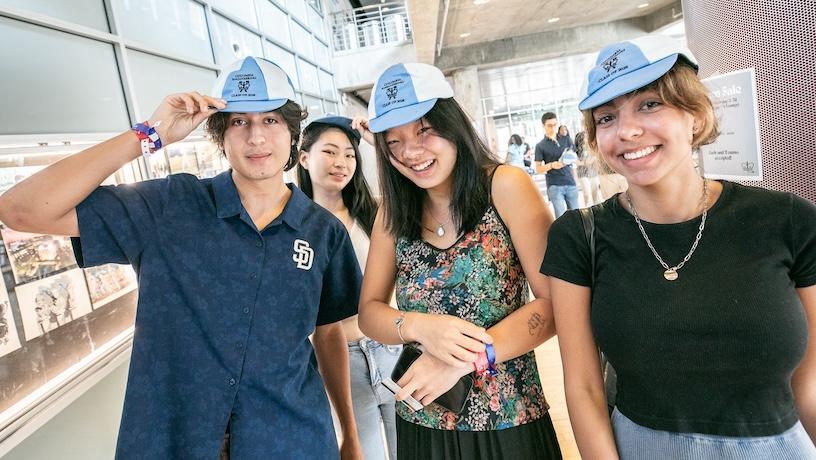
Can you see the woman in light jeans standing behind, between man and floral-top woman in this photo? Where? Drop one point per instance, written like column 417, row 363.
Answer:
column 330, row 172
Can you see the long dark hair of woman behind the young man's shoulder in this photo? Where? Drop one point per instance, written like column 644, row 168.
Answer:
column 356, row 194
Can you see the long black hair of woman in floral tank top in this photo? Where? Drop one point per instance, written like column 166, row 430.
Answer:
column 470, row 194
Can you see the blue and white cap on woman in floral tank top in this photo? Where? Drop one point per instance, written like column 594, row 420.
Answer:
column 404, row 93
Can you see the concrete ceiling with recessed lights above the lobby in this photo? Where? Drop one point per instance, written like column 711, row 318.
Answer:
column 500, row 32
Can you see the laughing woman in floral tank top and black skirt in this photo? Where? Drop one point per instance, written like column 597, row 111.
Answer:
column 453, row 239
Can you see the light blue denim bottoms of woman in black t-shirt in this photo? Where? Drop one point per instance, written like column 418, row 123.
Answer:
column 637, row 442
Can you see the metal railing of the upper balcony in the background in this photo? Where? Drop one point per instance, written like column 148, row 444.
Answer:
column 370, row 26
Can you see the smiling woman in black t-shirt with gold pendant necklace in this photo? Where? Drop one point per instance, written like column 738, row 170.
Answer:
column 703, row 294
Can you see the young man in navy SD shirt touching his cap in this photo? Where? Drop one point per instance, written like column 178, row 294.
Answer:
column 235, row 273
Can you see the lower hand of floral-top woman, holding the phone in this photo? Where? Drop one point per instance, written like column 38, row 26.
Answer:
column 428, row 378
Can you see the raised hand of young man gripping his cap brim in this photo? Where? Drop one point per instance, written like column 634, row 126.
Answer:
column 181, row 113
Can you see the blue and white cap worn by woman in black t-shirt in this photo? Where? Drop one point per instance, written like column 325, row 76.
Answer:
column 624, row 67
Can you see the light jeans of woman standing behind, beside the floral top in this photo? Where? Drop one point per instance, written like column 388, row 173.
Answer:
column 371, row 362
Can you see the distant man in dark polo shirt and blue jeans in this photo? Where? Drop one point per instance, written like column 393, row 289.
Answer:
column 561, row 189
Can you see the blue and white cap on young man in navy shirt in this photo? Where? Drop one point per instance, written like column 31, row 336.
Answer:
column 253, row 85
